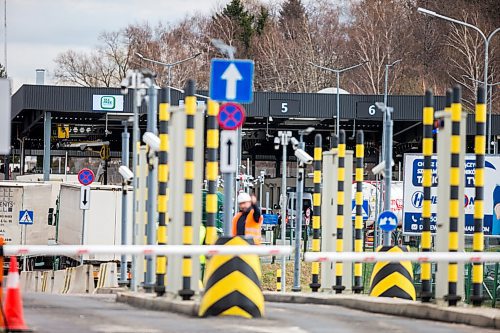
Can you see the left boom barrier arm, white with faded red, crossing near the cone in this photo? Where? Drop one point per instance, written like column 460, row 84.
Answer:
column 72, row 250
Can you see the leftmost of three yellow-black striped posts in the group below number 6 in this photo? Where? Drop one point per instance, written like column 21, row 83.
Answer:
column 318, row 156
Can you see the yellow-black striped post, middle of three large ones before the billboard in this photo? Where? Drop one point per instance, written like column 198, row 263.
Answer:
column 456, row 116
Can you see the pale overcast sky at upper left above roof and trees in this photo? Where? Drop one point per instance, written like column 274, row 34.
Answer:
column 37, row 30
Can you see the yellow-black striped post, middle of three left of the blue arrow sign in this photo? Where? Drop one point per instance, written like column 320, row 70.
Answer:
column 187, row 266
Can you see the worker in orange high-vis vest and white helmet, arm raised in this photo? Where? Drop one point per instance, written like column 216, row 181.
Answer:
column 248, row 221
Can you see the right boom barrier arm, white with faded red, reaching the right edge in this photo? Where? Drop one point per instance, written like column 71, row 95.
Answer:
column 403, row 256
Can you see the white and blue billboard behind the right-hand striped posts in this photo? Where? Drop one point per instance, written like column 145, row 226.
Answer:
column 413, row 194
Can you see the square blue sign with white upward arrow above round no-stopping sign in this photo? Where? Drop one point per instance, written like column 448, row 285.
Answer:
column 231, row 80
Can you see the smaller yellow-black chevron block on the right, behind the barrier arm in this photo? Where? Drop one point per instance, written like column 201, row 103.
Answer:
column 391, row 279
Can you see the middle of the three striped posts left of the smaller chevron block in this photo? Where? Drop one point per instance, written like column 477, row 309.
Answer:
column 339, row 266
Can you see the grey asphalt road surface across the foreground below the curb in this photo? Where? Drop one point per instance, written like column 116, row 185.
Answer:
column 47, row 313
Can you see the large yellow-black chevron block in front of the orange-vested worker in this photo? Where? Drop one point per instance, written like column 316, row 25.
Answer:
column 232, row 285
